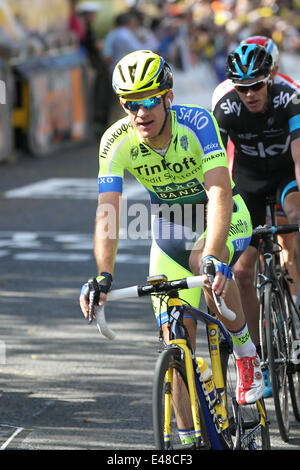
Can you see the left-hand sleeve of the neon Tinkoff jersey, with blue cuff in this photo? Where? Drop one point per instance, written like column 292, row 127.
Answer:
column 112, row 158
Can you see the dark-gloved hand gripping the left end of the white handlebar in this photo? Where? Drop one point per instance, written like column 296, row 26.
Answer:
column 94, row 293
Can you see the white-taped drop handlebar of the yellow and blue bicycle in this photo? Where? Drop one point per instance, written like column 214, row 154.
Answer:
column 148, row 289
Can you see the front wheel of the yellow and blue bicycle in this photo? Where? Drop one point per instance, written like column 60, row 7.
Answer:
column 171, row 359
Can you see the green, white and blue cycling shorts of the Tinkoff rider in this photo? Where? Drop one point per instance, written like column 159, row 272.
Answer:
column 173, row 241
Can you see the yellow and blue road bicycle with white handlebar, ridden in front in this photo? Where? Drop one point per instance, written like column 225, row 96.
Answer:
column 220, row 424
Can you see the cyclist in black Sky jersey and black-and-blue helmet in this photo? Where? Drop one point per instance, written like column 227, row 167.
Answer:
column 263, row 121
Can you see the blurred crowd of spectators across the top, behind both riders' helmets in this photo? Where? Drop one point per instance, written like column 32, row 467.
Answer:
column 185, row 32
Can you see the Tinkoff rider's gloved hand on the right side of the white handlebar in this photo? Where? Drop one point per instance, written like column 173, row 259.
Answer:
column 218, row 274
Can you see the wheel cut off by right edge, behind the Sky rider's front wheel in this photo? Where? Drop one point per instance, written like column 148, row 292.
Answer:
column 293, row 373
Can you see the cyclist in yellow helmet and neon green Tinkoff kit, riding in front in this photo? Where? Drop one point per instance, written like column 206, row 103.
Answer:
column 177, row 154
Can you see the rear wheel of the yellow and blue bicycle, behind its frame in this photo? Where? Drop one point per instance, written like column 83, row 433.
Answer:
column 249, row 425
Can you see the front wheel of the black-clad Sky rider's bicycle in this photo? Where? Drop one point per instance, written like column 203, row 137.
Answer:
column 277, row 355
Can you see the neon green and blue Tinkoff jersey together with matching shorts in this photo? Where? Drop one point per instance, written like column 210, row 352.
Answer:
column 176, row 177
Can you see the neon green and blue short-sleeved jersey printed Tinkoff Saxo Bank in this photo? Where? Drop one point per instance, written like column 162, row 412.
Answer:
column 176, row 177
